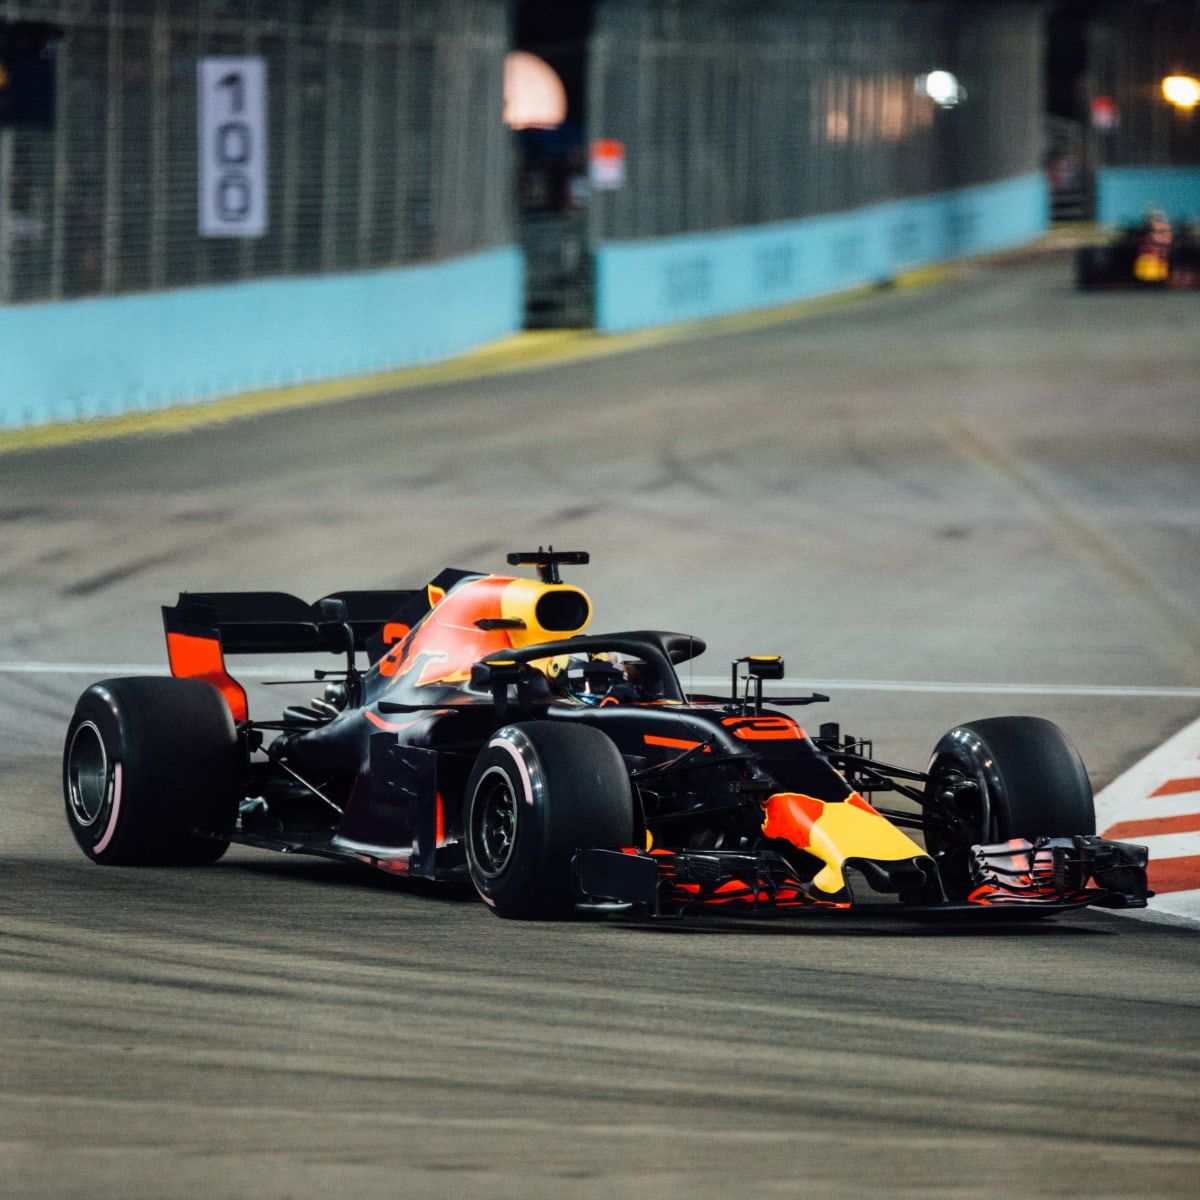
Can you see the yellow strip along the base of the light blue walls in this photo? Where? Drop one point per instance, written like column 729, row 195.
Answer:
column 521, row 352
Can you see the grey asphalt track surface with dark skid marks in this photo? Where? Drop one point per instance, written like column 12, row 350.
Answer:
column 994, row 482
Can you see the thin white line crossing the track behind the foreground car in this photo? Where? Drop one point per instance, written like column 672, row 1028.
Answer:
column 719, row 683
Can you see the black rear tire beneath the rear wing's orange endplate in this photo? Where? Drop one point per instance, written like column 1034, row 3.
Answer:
column 152, row 772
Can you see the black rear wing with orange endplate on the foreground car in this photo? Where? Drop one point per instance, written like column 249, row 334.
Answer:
column 205, row 626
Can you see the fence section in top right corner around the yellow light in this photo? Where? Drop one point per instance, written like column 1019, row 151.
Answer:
column 1132, row 49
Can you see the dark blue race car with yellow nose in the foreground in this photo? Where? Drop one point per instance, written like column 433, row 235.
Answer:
column 490, row 740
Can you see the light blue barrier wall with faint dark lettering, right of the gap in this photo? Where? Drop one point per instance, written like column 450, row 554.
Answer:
column 664, row 280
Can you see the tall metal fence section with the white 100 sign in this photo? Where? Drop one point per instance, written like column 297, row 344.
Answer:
column 386, row 142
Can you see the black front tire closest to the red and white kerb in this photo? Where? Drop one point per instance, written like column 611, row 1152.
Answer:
column 1030, row 783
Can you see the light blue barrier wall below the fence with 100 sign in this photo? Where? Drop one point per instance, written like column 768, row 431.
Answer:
column 92, row 358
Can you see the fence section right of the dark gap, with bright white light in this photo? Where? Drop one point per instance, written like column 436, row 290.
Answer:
column 737, row 115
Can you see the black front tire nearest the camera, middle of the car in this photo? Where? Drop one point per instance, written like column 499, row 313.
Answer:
column 538, row 794
